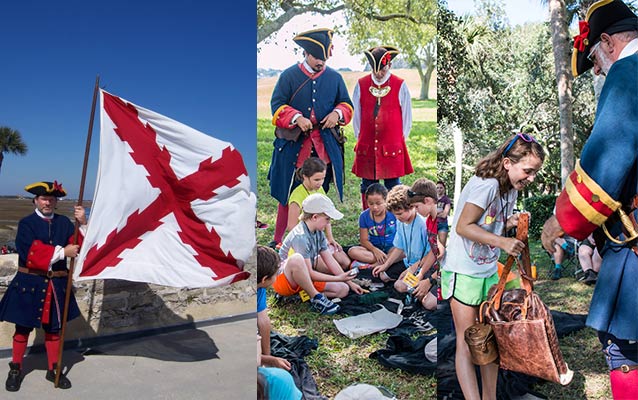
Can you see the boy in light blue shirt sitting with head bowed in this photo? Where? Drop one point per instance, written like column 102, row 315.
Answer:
column 410, row 251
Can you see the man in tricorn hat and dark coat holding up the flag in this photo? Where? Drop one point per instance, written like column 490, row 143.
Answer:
column 35, row 296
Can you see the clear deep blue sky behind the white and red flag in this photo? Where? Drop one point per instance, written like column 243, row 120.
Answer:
column 193, row 61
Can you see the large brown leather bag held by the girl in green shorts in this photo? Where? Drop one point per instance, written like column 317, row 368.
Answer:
column 522, row 324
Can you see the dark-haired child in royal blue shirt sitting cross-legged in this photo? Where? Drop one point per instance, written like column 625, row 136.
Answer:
column 377, row 227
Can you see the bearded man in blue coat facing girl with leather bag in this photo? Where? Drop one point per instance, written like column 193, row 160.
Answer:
column 600, row 196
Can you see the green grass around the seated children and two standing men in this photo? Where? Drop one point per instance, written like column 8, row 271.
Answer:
column 340, row 361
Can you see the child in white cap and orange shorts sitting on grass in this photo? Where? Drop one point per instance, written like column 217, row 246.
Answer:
column 308, row 241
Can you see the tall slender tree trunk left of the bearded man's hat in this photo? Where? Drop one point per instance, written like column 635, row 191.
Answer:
column 564, row 79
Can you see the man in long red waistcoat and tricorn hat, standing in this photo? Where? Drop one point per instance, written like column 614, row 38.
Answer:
column 382, row 120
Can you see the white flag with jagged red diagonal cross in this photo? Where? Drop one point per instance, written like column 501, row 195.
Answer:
column 172, row 205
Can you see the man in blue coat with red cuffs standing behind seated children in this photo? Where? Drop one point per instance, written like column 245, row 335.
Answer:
column 314, row 98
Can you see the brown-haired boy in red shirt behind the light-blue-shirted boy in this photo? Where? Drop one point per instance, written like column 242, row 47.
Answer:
column 423, row 197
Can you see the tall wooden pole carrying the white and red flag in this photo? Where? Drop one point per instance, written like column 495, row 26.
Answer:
column 69, row 283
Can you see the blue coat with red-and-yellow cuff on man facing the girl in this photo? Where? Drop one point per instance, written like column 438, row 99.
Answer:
column 605, row 178
